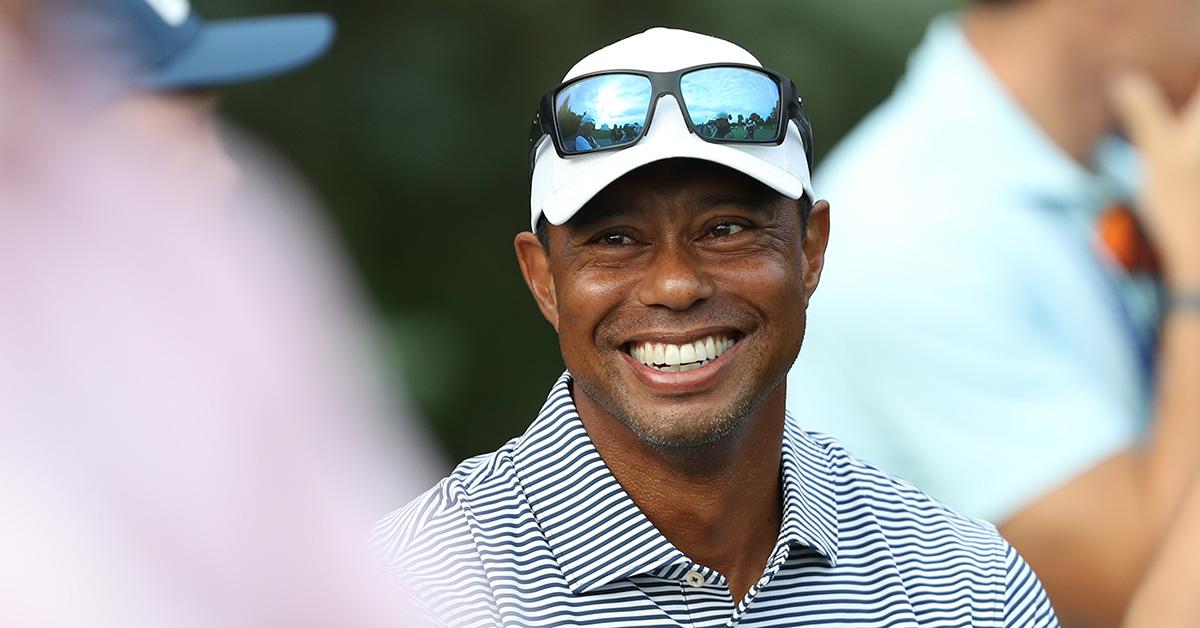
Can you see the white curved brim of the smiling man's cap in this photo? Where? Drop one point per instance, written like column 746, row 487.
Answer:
column 566, row 202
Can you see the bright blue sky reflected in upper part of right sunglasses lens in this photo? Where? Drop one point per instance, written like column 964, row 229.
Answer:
column 728, row 91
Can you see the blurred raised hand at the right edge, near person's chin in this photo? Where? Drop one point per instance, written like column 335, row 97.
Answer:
column 1171, row 145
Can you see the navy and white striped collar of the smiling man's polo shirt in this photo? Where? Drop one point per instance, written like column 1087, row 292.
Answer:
column 599, row 536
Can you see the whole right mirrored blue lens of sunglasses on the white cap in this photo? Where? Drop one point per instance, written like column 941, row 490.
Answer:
column 733, row 104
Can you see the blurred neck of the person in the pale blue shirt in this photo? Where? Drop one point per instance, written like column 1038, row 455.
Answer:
column 1034, row 52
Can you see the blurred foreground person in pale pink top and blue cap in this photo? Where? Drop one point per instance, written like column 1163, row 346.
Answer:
column 193, row 428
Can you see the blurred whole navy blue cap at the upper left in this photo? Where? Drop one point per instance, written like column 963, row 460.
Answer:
column 167, row 46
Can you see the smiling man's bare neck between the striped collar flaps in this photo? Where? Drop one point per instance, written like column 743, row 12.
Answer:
column 719, row 505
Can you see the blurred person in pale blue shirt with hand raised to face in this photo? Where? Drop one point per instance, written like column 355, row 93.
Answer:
column 997, row 327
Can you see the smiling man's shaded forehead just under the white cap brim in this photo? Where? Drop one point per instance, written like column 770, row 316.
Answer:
column 680, row 184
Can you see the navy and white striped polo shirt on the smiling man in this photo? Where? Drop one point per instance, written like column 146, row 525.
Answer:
column 541, row 534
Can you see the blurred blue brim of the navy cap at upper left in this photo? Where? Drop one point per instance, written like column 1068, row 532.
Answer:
column 244, row 50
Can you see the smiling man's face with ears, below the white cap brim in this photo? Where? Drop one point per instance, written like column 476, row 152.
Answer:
column 680, row 297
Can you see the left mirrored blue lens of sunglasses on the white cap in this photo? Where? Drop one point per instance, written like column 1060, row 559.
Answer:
column 602, row 111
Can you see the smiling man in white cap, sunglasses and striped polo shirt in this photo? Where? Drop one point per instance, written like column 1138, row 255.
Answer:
column 663, row 483
